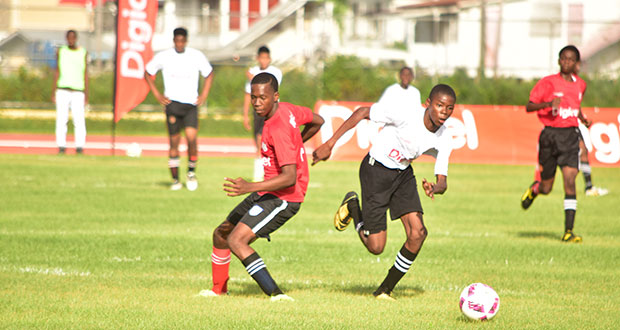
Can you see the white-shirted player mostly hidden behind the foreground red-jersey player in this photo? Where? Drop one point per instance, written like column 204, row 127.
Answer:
column 263, row 57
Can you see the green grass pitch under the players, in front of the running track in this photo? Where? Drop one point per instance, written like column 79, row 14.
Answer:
column 100, row 242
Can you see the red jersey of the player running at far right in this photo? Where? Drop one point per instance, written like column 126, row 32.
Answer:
column 571, row 93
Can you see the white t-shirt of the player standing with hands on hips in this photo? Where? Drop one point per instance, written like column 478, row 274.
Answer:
column 180, row 72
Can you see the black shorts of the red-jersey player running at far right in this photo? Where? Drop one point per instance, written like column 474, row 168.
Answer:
column 558, row 146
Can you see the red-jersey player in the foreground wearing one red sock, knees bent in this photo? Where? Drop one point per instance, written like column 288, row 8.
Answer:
column 273, row 201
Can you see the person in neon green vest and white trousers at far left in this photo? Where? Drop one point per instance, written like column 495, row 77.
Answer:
column 70, row 91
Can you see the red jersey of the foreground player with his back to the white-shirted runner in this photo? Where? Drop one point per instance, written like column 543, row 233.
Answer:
column 281, row 144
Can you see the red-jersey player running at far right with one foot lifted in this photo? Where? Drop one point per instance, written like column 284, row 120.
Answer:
column 557, row 101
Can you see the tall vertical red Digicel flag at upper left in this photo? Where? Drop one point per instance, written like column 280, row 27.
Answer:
column 134, row 32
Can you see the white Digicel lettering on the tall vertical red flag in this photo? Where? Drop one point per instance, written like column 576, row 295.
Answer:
column 139, row 33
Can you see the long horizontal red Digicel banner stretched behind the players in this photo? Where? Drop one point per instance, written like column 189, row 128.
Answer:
column 484, row 134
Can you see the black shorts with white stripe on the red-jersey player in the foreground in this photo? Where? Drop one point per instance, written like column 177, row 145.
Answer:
column 263, row 214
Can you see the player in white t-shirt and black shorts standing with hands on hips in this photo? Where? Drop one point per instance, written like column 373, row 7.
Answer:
column 181, row 67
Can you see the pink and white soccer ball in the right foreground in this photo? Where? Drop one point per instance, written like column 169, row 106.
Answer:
column 479, row 302
